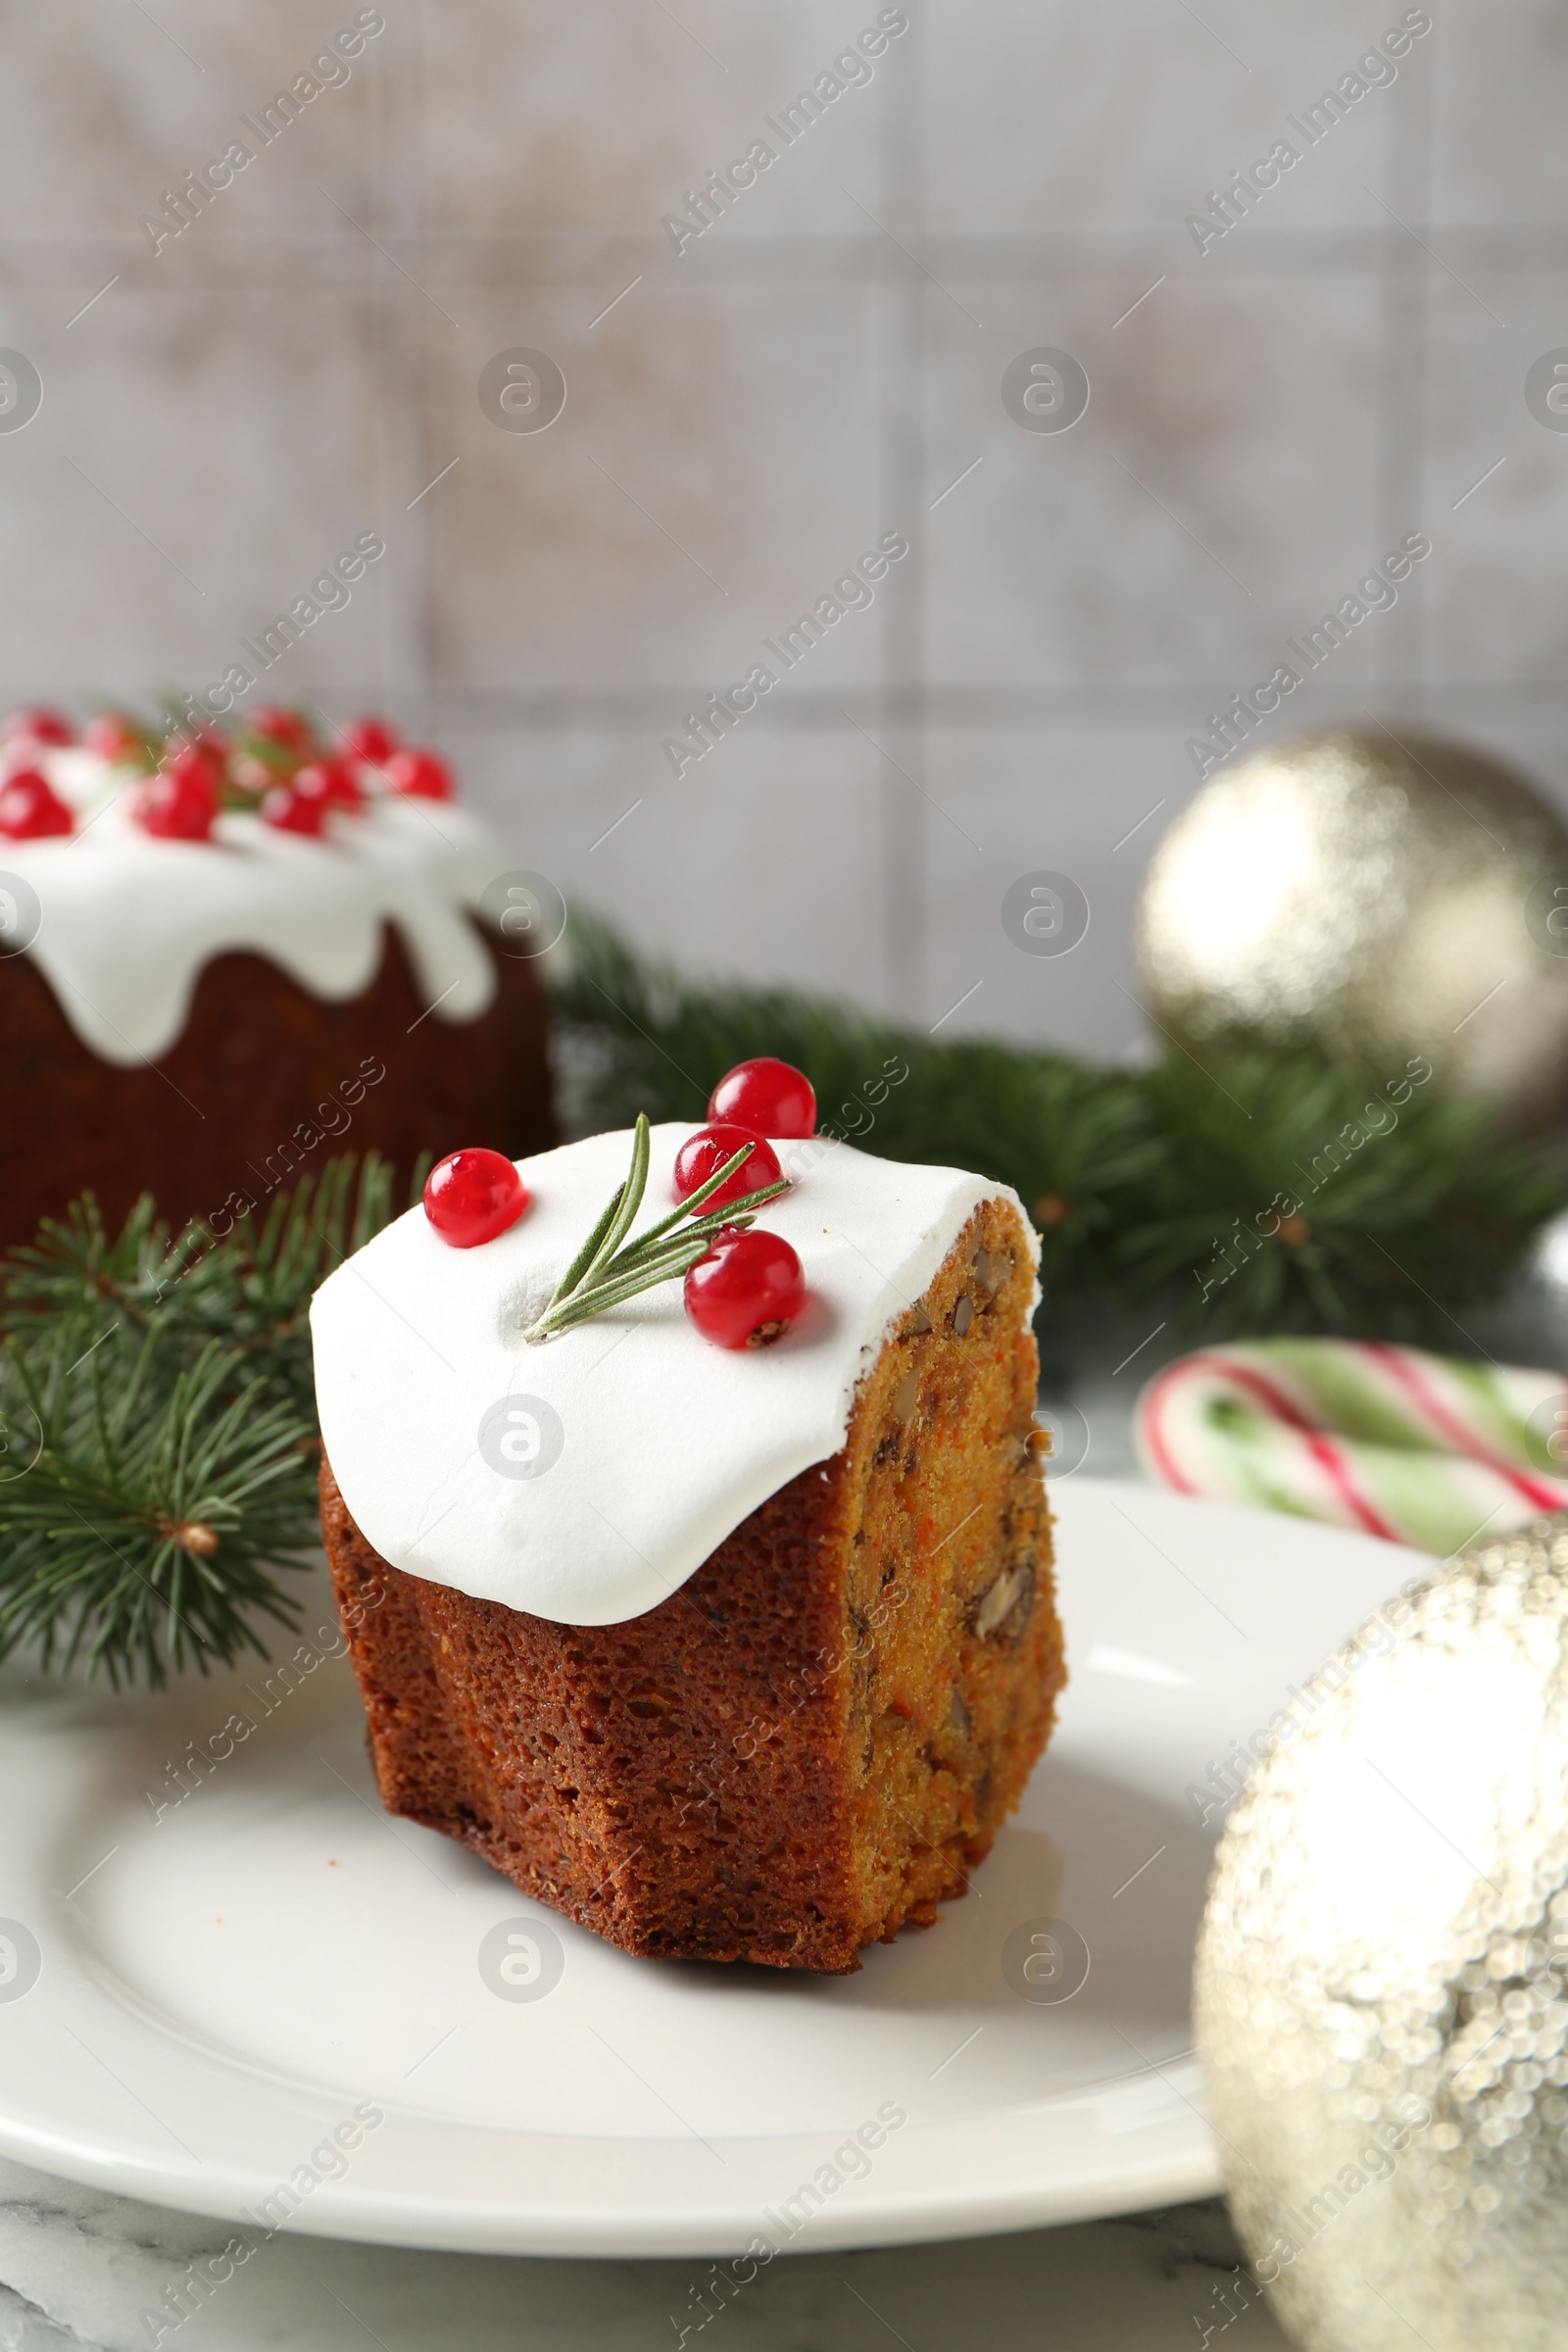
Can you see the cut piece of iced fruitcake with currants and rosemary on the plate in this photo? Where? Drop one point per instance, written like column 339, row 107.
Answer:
column 718, row 1619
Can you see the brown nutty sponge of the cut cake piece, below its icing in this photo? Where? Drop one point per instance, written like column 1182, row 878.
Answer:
column 822, row 1732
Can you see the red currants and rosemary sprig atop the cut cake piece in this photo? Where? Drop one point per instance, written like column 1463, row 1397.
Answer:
column 746, row 1288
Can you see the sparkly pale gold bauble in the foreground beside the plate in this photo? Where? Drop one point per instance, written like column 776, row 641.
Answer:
column 1381, row 1984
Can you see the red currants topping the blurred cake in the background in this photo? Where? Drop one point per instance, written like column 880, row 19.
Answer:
column 279, row 766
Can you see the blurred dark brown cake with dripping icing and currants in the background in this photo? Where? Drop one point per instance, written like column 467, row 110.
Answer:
column 225, row 958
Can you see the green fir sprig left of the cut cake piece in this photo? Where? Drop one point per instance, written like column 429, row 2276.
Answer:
column 159, row 1436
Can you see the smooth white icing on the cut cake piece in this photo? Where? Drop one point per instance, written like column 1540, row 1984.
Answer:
column 666, row 1443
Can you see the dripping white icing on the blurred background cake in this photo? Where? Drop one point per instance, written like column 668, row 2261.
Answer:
column 128, row 921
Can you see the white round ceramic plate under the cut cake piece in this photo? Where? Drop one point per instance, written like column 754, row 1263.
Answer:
column 194, row 2000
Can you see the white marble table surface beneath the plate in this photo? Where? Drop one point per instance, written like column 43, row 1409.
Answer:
column 83, row 2269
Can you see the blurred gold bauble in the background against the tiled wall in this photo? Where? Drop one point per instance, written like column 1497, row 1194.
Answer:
column 1376, row 900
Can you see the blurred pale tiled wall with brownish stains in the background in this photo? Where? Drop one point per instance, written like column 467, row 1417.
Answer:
column 819, row 368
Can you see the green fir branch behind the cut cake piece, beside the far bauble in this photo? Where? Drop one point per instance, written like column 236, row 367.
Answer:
column 1245, row 1194
